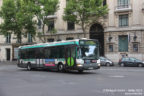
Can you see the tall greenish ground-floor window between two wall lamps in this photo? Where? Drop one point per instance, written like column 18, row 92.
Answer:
column 123, row 43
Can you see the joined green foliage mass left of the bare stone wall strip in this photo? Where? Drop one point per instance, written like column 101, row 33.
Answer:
column 18, row 16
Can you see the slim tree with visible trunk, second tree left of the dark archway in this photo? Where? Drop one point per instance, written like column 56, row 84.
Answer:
column 46, row 8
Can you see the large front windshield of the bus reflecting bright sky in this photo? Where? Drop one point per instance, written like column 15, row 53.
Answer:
column 89, row 51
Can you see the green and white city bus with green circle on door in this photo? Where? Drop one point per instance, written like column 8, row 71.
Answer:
column 79, row 54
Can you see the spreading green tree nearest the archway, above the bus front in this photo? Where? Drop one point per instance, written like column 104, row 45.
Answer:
column 84, row 12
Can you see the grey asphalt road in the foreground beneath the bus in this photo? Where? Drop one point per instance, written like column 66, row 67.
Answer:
column 107, row 81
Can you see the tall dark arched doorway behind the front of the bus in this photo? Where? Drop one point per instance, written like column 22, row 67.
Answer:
column 97, row 32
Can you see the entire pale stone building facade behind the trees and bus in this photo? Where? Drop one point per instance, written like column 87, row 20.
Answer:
column 120, row 33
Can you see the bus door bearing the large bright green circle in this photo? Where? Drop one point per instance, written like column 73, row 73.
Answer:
column 70, row 56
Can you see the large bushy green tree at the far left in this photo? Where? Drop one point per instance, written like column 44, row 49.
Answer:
column 17, row 18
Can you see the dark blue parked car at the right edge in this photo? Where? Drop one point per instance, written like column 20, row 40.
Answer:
column 130, row 61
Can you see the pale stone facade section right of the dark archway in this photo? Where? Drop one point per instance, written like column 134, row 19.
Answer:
column 124, row 35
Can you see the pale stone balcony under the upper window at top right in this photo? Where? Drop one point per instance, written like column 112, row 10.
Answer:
column 123, row 8
